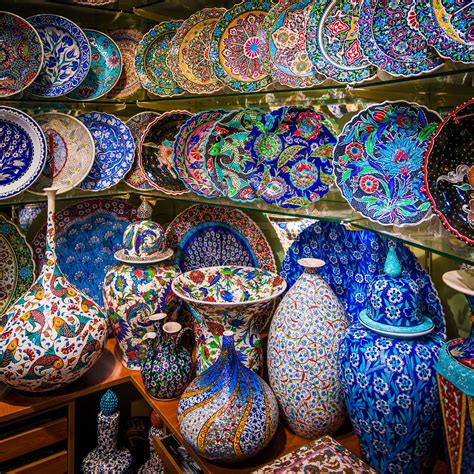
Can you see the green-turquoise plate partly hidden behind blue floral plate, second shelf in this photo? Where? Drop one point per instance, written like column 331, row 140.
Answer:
column 227, row 161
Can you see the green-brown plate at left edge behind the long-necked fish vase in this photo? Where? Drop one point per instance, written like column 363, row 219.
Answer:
column 17, row 267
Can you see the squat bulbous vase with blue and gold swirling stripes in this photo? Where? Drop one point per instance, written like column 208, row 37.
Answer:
column 228, row 413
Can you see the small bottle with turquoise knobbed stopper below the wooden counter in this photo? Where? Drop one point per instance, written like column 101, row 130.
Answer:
column 108, row 457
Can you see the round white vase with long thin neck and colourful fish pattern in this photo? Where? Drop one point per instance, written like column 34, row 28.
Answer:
column 54, row 333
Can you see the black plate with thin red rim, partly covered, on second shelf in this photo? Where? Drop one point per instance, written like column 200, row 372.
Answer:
column 156, row 152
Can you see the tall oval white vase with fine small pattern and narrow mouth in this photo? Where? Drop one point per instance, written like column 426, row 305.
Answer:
column 303, row 346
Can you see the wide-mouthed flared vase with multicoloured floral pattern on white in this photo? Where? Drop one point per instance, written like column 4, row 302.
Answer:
column 228, row 298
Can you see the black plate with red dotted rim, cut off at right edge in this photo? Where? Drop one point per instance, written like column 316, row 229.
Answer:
column 449, row 172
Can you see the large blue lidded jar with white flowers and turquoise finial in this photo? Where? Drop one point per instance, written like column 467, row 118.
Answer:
column 388, row 377
